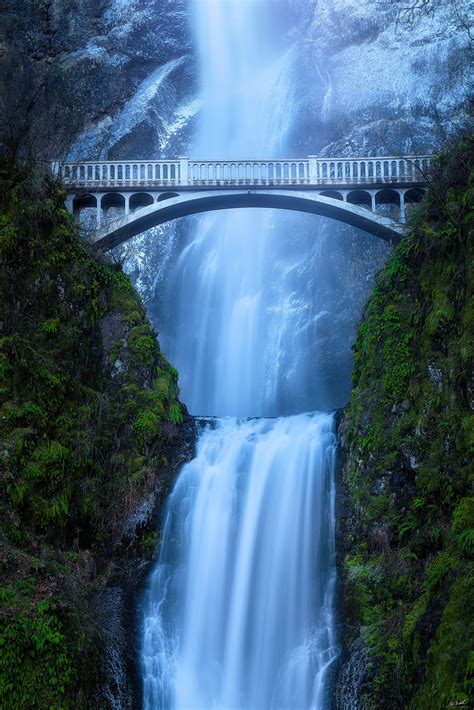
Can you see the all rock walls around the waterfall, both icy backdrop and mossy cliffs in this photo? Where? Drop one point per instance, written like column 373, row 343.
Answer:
column 119, row 79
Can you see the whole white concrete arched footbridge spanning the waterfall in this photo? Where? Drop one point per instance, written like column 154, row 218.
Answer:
column 129, row 197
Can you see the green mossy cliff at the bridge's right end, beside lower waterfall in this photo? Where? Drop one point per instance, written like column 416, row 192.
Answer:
column 406, row 524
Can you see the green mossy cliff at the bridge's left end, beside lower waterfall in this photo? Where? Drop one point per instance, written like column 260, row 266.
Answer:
column 88, row 411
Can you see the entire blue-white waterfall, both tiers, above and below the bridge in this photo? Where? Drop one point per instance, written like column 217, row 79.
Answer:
column 238, row 613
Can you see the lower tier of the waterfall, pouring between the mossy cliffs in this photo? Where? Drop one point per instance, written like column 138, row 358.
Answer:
column 238, row 613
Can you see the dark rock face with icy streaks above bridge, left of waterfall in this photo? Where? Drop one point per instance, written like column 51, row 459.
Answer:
column 106, row 78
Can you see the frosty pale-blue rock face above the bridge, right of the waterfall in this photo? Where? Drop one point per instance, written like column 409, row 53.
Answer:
column 382, row 85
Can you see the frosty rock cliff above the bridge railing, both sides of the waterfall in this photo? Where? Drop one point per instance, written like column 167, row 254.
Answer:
column 118, row 78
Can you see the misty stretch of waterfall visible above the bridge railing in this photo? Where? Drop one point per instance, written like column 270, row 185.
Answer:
column 246, row 98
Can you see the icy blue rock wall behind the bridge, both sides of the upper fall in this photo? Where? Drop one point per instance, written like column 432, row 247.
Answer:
column 119, row 79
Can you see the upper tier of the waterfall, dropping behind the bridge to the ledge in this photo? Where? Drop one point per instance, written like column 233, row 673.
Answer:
column 236, row 339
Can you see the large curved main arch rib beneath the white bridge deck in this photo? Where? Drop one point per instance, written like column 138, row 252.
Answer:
column 182, row 205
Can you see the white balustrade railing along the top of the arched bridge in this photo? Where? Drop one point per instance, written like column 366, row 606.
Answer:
column 185, row 172
